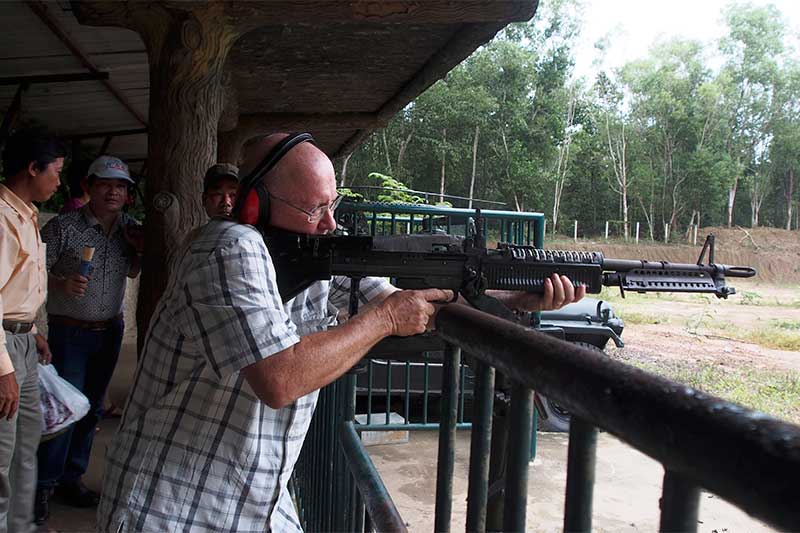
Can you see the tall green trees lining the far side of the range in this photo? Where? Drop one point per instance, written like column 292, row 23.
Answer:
column 671, row 139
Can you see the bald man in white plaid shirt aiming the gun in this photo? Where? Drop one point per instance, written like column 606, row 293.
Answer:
column 229, row 374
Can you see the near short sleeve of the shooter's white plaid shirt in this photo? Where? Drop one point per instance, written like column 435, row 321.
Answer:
column 235, row 311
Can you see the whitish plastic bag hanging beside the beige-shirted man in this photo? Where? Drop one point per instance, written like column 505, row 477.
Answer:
column 62, row 404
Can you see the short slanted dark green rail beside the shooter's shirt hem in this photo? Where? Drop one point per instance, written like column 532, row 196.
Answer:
column 383, row 514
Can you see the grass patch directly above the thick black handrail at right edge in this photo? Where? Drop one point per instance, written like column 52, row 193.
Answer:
column 776, row 393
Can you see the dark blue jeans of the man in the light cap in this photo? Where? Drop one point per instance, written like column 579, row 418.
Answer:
column 85, row 358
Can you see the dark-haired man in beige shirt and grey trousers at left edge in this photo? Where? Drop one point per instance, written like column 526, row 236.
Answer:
column 32, row 167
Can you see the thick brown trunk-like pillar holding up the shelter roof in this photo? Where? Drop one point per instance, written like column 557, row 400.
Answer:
column 186, row 53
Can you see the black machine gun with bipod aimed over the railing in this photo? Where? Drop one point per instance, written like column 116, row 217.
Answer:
column 467, row 267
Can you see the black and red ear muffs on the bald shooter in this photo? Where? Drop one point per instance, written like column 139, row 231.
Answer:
column 252, row 200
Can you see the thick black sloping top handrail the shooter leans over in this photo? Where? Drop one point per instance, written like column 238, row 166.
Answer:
column 746, row 457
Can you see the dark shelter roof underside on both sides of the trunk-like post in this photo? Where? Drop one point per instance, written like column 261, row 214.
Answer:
column 337, row 69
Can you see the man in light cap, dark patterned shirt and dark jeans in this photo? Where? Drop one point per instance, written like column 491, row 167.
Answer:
column 85, row 318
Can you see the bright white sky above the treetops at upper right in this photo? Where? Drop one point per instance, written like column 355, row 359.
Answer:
column 634, row 25
